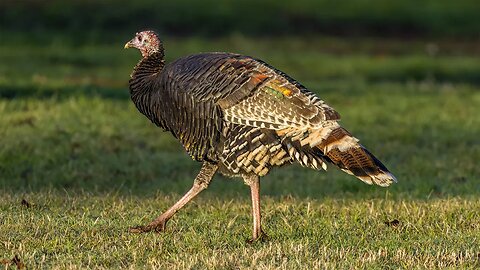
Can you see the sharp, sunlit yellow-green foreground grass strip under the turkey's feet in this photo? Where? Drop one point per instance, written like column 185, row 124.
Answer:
column 81, row 230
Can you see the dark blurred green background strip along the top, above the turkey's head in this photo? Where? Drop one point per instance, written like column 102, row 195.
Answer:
column 99, row 20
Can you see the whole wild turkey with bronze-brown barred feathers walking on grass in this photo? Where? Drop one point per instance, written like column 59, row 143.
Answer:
column 241, row 117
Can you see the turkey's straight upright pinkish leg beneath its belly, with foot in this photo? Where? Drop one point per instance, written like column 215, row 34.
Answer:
column 254, row 182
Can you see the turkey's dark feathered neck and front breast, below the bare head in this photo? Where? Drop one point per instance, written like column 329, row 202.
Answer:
column 146, row 87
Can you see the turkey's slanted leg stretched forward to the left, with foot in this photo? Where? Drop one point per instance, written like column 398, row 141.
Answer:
column 201, row 182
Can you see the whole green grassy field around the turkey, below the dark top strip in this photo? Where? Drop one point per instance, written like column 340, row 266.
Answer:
column 73, row 146
